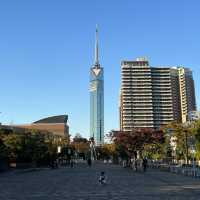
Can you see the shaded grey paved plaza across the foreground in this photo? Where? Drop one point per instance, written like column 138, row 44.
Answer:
column 81, row 183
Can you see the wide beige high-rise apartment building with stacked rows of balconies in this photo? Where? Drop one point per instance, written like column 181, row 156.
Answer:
column 154, row 96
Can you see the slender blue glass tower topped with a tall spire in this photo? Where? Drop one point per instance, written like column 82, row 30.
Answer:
column 97, row 99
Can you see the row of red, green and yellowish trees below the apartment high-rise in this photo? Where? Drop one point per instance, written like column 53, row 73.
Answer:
column 173, row 142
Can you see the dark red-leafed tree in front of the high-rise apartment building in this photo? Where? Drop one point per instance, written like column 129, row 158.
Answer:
column 137, row 140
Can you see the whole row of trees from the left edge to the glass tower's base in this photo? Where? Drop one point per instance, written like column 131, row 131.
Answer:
column 39, row 148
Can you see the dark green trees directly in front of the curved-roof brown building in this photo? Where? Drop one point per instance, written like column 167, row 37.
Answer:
column 29, row 146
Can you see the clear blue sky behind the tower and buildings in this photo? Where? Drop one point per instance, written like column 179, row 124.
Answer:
column 47, row 49
